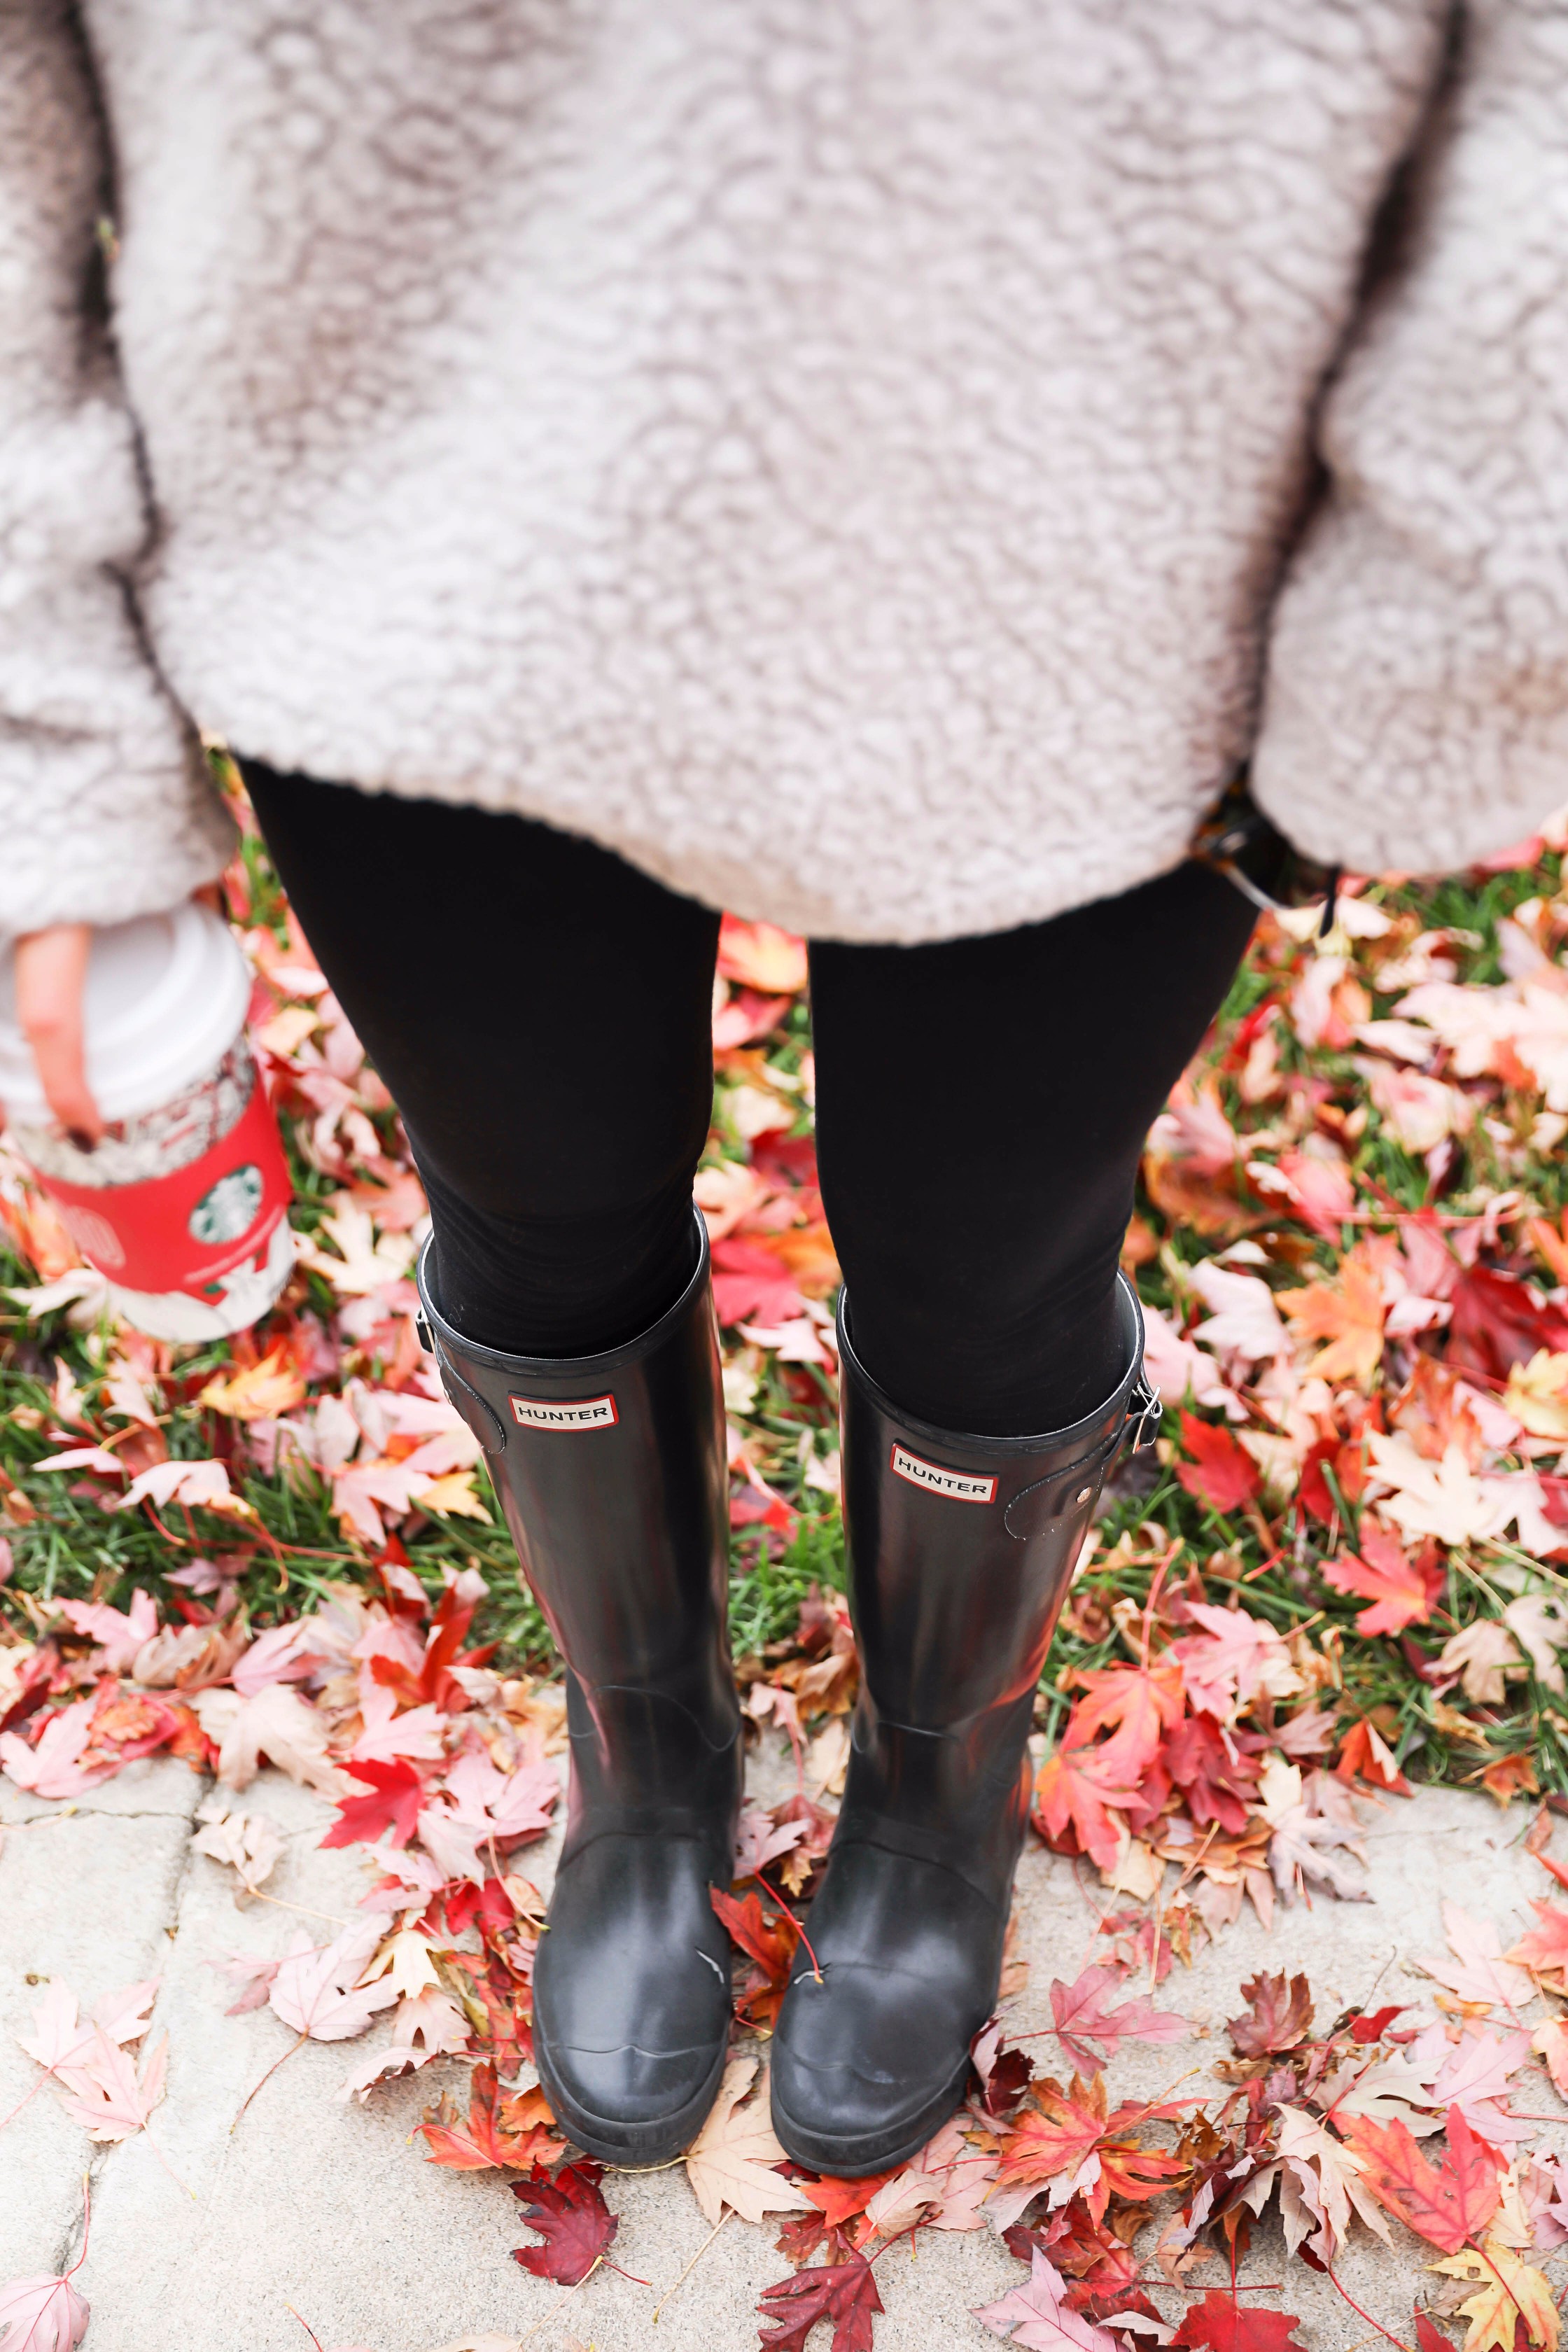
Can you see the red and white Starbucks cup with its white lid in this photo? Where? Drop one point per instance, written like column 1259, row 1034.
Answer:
column 185, row 1203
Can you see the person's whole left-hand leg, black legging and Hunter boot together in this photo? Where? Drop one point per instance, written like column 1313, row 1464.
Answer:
column 542, row 1015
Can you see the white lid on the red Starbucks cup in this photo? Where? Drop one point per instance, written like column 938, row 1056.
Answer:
column 166, row 998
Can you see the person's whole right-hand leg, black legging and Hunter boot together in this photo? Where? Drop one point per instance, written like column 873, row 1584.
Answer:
column 981, row 1109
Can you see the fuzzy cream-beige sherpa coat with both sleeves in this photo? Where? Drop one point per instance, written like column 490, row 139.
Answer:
column 880, row 465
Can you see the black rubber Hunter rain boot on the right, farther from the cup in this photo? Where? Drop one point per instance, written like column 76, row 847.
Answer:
column 960, row 1556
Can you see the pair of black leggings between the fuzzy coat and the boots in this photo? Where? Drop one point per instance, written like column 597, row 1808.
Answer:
column 542, row 1015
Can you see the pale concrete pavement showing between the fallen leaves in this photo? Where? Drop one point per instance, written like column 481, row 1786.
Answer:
column 210, row 2236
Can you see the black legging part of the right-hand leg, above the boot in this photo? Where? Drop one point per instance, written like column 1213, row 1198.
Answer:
column 981, row 1111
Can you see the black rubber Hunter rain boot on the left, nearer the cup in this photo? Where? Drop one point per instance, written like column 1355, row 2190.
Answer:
column 617, row 1495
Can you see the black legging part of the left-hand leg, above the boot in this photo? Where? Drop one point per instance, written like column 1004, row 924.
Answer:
column 542, row 1017
